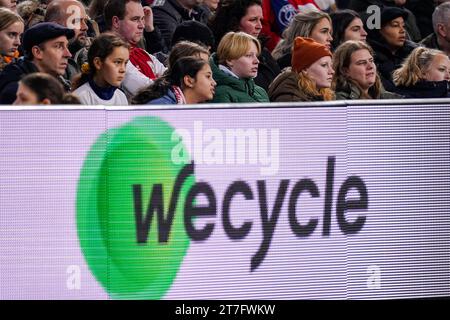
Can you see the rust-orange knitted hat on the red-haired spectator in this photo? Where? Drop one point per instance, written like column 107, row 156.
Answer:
column 307, row 51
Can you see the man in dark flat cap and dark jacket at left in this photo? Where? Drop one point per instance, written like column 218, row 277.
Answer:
column 46, row 50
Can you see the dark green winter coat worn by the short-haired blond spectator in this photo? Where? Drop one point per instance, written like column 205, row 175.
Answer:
column 231, row 89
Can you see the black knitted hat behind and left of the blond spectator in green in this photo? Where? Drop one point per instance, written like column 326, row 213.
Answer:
column 193, row 31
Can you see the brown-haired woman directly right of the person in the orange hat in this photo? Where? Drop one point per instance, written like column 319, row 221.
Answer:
column 356, row 74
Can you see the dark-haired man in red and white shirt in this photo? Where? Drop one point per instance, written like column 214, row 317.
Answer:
column 129, row 20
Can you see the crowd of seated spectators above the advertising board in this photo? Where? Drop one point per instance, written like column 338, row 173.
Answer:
column 120, row 52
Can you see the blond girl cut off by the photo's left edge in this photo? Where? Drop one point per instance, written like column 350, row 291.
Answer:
column 11, row 29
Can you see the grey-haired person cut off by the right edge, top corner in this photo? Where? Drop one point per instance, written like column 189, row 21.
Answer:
column 440, row 38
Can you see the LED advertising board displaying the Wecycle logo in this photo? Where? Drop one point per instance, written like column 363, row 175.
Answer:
column 342, row 202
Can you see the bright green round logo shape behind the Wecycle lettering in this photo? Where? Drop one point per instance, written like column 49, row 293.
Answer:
column 119, row 178
